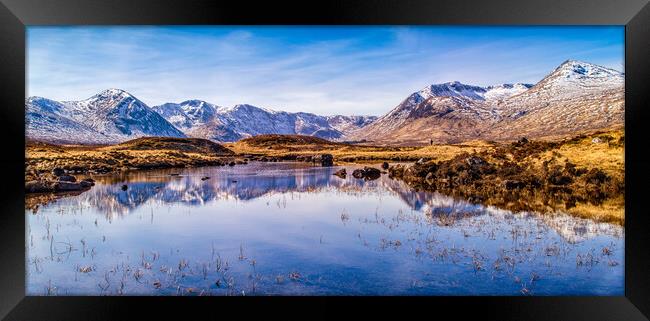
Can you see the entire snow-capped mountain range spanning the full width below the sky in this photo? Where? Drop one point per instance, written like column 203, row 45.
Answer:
column 576, row 96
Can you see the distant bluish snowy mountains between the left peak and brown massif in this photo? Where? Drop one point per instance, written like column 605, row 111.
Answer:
column 201, row 119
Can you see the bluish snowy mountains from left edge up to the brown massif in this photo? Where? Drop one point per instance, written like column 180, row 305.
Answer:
column 114, row 116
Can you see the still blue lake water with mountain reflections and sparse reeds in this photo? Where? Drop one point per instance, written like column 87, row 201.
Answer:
column 294, row 229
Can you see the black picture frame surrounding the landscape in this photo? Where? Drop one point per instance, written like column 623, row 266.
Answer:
column 16, row 14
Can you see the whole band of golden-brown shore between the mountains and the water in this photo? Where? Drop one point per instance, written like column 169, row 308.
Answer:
column 582, row 176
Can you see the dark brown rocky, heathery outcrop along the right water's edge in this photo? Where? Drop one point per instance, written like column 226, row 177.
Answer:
column 511, row 177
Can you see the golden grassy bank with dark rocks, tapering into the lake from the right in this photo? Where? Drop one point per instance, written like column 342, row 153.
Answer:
column 583, row 176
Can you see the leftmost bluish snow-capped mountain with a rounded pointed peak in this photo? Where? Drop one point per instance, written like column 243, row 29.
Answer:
column 109, row 117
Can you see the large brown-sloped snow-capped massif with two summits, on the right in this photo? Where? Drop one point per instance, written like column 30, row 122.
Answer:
column 575, row 96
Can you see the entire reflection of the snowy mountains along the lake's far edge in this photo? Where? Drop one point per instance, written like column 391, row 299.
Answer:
column 258, row 180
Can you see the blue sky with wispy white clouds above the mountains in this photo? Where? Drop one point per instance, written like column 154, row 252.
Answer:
column 324, row 70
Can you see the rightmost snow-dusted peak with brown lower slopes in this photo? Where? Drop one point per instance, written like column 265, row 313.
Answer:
column 576, row 96
